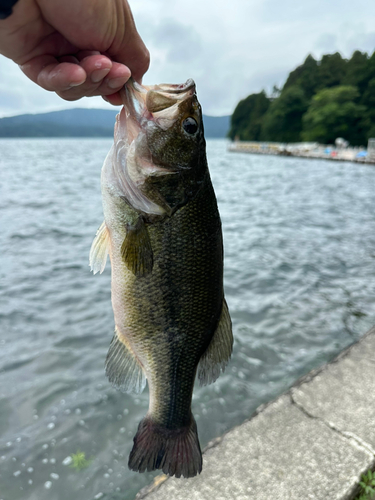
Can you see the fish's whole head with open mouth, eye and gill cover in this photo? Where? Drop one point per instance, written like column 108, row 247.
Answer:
column 155, row 162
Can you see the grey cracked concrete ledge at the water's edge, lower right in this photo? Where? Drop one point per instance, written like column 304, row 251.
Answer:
column 313, row 442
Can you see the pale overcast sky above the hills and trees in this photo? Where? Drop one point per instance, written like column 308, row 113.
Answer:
column 231, row 48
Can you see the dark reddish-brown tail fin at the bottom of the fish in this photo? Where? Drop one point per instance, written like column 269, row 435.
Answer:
column 177, row 452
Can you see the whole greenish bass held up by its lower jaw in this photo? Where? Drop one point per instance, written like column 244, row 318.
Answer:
column 163, row 234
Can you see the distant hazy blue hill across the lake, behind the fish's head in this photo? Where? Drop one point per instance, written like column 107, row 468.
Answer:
column 80, row 122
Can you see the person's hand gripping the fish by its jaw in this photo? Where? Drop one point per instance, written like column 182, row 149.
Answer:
column 76, row 48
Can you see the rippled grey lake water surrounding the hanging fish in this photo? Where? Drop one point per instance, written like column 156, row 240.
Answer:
column 299, row 240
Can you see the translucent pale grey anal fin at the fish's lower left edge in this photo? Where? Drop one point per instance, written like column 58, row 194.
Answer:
column 122, row 367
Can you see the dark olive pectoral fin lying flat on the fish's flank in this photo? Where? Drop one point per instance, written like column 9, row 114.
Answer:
column 136, row 249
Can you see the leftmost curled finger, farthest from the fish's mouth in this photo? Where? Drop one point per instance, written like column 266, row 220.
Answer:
column 50, row 74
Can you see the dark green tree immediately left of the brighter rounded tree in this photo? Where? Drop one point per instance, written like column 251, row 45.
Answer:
column 283, row 121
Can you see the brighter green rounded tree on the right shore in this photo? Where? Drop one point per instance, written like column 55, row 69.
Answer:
column 334, row 112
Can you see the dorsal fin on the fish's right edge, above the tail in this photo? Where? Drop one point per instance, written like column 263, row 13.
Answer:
column 217, row 355
